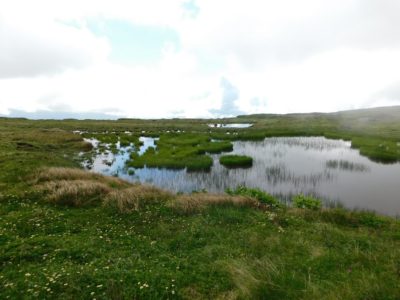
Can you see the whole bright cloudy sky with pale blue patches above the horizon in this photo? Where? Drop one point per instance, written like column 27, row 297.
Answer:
column 196, row 58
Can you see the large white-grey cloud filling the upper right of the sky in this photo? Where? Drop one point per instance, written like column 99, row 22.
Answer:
column 258, row 33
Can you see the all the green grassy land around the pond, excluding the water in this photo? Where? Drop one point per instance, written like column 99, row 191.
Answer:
column 112, row 240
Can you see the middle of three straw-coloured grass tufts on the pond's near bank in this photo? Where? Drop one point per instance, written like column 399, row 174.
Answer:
column 135, row 198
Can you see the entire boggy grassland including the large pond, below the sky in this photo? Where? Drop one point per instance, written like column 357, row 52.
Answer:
column 70, row 233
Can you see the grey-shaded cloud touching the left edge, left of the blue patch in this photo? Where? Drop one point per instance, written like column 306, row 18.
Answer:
column 45, row 48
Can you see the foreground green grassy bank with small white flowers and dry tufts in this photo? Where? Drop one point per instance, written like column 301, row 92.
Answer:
column 112, row 240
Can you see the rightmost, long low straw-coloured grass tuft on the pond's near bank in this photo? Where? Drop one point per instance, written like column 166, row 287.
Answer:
column 197, row 202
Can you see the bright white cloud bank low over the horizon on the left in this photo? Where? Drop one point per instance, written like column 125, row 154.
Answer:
column 135, row 91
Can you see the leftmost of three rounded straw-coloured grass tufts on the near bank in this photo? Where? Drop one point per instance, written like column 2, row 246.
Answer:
column 75, row 193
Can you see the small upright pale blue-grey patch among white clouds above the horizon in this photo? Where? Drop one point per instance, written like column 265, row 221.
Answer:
column 230, row 94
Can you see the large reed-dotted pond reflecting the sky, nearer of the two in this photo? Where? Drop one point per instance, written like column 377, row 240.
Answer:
column 283, row 166
